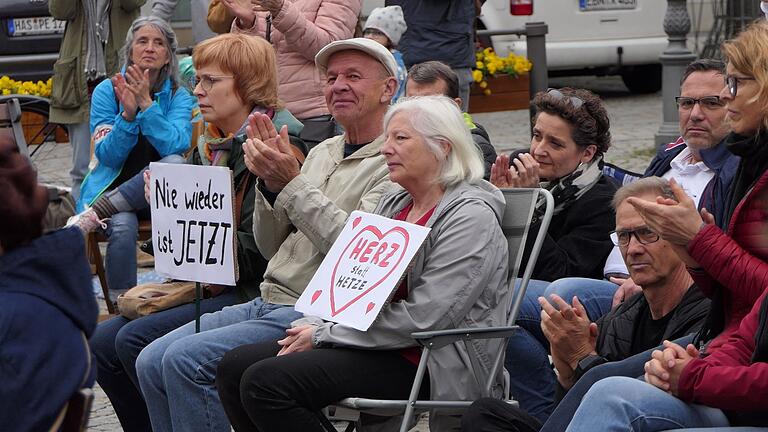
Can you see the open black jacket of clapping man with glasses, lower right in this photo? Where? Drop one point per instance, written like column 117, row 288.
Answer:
column 617, row 328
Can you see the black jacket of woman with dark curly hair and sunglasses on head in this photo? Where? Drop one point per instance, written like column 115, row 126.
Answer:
column 577, row 242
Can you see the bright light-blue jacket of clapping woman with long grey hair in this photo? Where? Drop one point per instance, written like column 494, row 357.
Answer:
column 166, row 124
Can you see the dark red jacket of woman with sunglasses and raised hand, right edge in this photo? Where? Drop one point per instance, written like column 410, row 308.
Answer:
column 737, row 262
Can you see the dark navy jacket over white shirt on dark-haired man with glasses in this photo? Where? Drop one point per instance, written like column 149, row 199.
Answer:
column 718, row 159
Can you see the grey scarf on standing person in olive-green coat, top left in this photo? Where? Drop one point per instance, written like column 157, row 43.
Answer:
column 96, row 36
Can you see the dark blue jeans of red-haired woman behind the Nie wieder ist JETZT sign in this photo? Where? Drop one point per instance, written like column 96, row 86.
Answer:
column 117, row 342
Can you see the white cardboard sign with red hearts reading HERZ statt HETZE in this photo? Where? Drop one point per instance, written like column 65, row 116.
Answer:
column 363, row 267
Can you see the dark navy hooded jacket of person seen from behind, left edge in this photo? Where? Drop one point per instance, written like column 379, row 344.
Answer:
column 46, row 302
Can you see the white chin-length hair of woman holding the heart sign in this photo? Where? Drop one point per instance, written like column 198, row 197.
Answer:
column 438, row 119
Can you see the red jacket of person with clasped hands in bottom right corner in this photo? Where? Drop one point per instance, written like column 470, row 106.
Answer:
column 727, row 378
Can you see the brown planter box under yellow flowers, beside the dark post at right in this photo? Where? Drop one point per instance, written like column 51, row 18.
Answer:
column 507, row 93
